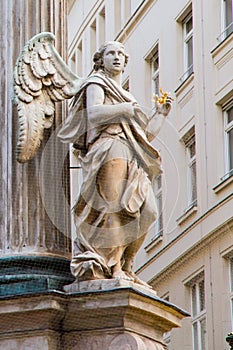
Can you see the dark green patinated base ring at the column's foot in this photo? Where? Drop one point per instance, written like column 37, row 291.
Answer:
column 27, row 274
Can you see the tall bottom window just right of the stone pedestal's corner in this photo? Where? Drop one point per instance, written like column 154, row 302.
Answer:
column 198, row 314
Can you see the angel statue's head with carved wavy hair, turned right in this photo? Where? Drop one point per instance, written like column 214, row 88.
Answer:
column 111, row 56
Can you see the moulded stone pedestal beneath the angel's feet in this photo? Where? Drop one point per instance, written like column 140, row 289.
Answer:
column 97, row 315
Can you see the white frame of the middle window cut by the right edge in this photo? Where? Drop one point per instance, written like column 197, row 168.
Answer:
column 228, row 127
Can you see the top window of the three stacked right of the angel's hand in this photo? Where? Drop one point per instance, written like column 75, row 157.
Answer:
column 187, row 25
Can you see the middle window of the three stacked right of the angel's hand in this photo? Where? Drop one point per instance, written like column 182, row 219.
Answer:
column 190, row 145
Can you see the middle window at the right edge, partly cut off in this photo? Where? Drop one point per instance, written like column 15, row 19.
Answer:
column 228, row 128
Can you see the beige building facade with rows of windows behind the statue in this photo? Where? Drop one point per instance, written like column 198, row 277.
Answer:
column 185, row 47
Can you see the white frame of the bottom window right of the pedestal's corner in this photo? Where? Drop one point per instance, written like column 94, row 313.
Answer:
column 199, row 315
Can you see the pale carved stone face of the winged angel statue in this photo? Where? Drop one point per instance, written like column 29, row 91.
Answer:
column 114, row 58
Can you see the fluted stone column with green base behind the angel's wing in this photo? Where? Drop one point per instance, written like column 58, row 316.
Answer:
column 35, row 243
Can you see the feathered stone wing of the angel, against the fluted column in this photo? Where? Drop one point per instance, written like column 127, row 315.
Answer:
column 41, row 78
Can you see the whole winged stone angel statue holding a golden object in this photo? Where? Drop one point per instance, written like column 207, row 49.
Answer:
column 116, row 206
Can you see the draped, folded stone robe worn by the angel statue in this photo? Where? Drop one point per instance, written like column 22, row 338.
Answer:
column 105, row 227
